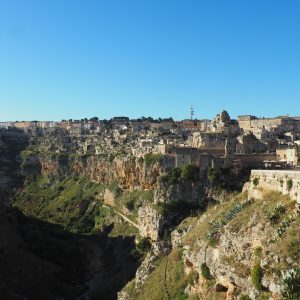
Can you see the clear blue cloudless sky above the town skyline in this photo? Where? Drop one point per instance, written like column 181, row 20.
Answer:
column 84, row 58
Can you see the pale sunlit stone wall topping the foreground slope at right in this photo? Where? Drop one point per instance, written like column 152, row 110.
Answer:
column 286, row 182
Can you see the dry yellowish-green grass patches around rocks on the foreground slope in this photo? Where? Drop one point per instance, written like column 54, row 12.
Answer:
column 287, row 246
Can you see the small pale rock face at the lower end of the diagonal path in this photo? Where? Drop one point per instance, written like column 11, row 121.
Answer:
column 150, row 222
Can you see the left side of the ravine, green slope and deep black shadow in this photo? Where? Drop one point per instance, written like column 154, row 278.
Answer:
column 44, row 253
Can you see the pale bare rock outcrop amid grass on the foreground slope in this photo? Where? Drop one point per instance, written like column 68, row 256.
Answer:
column 231, row 261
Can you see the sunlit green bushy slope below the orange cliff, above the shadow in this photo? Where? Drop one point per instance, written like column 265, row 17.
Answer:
column 71, row 203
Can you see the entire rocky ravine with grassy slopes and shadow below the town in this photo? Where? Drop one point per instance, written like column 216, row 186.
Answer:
column 106, row 227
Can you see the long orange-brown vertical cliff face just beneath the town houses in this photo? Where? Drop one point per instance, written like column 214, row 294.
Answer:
column 128, row 171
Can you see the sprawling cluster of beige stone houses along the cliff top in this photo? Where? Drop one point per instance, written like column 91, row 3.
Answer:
column 223, row 142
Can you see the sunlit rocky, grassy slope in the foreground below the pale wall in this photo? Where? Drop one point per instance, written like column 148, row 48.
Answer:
column 239, row 249
